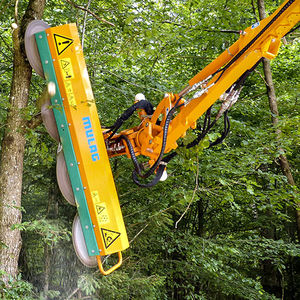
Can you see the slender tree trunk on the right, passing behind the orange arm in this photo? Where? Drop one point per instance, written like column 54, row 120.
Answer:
column 284, row 164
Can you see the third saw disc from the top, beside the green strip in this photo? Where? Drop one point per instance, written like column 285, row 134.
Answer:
column 63, row 178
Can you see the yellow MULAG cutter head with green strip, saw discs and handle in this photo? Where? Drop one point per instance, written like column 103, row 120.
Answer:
column 83, row 169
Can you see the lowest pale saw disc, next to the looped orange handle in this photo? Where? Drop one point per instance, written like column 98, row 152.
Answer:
column 80, row 245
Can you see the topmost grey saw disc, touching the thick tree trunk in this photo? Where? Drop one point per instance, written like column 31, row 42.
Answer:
column 31, row 47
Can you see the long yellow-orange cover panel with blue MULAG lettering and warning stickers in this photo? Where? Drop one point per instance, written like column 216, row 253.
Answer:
column 87, row 138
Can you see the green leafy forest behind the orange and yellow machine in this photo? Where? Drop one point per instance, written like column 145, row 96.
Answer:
column 223, row 225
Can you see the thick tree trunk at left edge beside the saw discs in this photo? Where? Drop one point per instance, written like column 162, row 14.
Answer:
column 13, row 145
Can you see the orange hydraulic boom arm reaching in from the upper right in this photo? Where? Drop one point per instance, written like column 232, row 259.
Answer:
column 226, row 73
